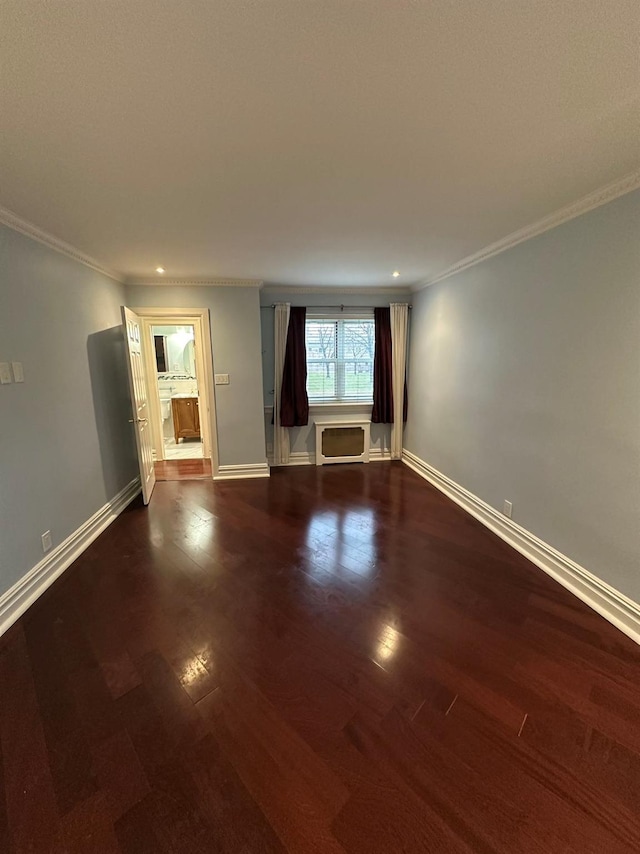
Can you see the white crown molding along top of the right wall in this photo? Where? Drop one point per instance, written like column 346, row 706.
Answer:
column 587, row 203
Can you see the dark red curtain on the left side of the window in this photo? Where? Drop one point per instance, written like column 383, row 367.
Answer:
column 294, row 403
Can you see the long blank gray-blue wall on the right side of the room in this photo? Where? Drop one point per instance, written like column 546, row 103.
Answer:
column 525, row 385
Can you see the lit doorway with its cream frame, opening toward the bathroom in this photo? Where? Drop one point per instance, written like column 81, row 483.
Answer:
column 178, row 367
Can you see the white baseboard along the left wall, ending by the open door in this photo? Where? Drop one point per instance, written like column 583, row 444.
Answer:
column 27, row 589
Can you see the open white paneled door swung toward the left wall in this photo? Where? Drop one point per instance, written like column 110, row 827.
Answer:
column 139, row 401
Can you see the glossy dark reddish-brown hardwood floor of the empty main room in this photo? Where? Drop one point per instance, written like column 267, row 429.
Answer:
column 333, row 660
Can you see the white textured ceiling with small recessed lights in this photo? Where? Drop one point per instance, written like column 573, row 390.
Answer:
column 310, row 143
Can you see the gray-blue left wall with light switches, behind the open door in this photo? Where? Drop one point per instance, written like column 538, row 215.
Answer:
column 66, row 447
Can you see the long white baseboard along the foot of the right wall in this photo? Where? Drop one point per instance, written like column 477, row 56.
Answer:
column 614, row 606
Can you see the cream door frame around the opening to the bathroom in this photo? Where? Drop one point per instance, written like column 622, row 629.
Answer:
column 200, row 320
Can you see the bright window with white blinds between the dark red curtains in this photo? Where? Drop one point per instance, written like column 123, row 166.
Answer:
column 340, row 359
